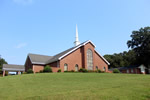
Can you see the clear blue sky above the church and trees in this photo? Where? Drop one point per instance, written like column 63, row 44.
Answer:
column 48, row 27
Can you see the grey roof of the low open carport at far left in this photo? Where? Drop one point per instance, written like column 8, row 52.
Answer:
column 11, row 67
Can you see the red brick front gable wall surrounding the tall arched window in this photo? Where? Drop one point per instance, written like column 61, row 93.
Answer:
column 80, row 57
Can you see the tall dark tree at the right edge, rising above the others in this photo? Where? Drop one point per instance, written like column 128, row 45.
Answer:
column 140, row 43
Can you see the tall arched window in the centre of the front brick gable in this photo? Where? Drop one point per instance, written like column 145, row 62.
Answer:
column 89, row 59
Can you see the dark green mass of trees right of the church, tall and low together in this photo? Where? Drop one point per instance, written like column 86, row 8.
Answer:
column 139, row 53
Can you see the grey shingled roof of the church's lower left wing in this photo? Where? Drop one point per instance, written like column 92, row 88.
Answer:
column 39, row 59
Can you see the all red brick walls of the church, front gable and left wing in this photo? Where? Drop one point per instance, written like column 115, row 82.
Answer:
column 77, row 57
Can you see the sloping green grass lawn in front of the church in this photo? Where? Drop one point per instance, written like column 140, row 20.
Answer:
column 75, row 86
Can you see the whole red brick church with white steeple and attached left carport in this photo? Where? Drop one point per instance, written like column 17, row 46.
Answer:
column 82, row 55
